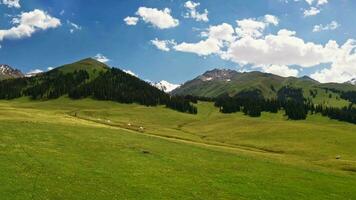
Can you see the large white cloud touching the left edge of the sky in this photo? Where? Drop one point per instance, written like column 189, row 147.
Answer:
column 28, row 23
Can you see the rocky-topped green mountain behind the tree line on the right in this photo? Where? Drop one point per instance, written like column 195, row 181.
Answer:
column 220, row 81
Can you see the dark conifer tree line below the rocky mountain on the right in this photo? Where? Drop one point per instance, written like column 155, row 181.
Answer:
column 291, row 100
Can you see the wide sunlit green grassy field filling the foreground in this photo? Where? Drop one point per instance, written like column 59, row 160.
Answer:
column 87, row 149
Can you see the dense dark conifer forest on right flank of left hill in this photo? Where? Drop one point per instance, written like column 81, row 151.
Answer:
column 116, row 85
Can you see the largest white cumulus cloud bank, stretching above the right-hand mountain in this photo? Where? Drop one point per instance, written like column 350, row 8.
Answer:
column 282, row 53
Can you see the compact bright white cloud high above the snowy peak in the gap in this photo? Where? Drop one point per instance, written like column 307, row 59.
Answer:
column 161, row 19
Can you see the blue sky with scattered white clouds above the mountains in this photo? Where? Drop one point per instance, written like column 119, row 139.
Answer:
column 177, row 40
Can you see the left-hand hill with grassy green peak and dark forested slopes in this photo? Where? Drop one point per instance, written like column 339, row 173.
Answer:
column 89, row 78
